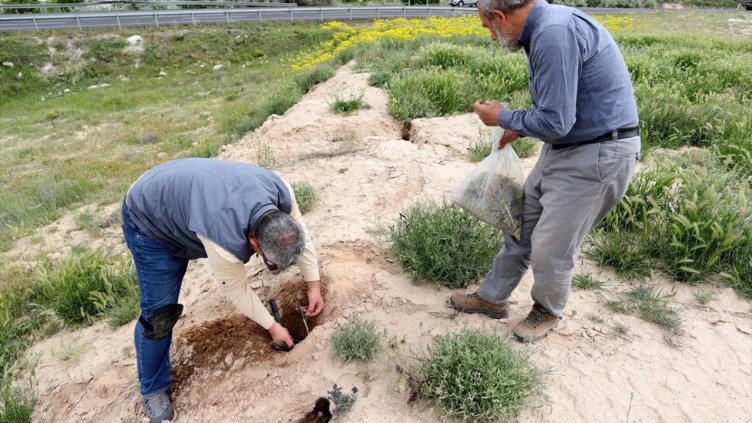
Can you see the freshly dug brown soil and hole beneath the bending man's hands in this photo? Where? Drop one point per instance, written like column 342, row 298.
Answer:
column 218, row 344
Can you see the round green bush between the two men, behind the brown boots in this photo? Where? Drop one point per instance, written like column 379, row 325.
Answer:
column 443, row 244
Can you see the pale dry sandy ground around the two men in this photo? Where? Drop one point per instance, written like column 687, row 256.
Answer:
column 365, row 173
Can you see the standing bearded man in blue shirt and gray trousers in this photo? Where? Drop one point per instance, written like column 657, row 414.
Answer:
column 584, row 111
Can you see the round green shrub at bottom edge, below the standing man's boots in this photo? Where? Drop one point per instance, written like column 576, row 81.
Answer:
column 476, row 376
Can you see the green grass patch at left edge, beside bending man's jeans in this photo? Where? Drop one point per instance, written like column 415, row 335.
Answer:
column 35, row 303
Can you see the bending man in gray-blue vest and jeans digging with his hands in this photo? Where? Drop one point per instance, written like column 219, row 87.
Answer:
column 193, row 208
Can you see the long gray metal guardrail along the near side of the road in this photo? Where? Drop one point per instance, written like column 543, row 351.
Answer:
column 123, row 19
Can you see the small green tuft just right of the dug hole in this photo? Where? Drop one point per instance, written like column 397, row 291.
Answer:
column 359, row 340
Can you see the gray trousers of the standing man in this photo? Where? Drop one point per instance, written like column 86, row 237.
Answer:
column 568, row 192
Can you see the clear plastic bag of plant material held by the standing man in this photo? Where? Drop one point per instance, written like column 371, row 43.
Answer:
column 493, row 190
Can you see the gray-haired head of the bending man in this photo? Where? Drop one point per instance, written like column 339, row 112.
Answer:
column 281, row 238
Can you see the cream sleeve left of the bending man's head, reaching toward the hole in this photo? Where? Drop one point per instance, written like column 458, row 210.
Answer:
column 233, row 284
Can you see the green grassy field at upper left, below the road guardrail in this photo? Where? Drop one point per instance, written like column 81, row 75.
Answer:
column 139, row 120
